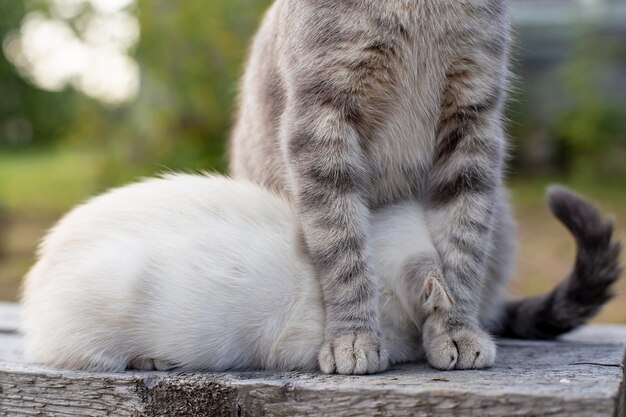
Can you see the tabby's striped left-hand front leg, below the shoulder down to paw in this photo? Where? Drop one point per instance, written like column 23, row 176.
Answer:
column 330, row 182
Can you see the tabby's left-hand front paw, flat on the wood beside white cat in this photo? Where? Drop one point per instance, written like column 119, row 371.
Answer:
column 354, row 354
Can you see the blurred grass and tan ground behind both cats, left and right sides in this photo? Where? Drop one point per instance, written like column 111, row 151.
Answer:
column 37, row 187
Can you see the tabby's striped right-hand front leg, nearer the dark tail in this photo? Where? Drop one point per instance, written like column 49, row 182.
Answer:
column 464, row 187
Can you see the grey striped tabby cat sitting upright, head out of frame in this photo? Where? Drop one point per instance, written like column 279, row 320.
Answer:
column 351, row 105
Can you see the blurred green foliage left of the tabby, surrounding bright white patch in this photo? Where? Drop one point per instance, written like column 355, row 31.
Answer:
column 190, row 56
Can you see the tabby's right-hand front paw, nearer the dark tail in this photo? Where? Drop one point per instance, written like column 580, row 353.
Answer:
column 459, row 348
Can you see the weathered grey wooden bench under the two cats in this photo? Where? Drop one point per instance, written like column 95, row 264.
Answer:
column 581, row 375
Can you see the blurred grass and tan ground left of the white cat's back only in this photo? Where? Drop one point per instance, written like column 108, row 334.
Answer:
column 36, row 187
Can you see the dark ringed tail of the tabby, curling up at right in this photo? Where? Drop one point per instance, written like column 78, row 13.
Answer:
column 588, row 287
